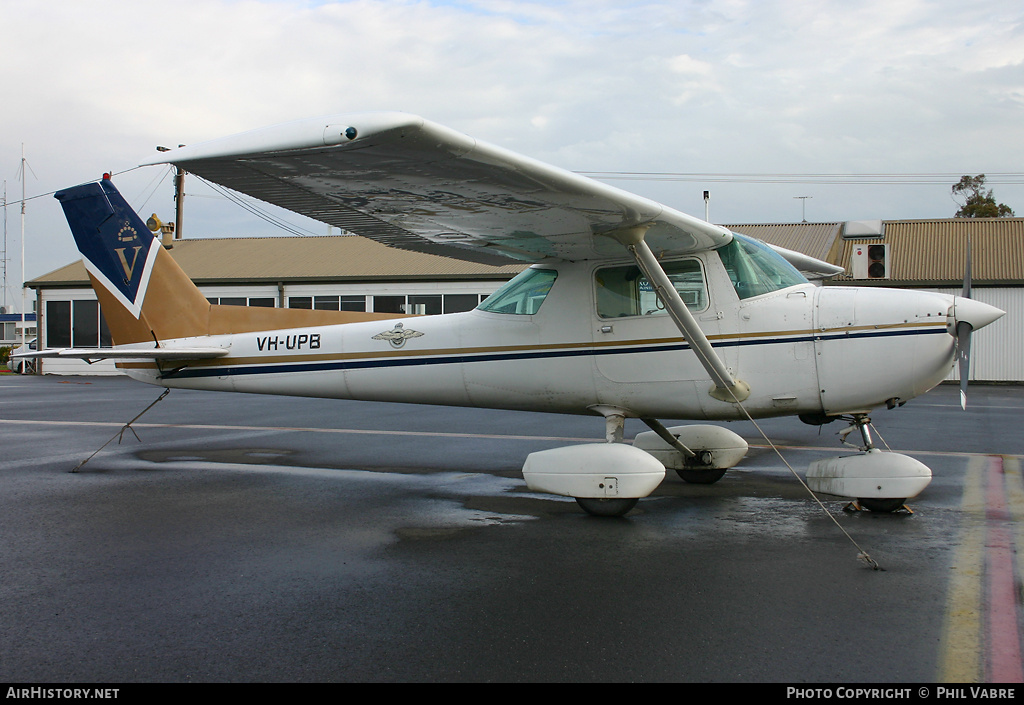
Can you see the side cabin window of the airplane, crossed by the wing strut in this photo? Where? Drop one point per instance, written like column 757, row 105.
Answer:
column 624, row 292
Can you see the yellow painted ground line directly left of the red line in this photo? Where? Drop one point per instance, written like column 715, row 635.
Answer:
column 961, row 645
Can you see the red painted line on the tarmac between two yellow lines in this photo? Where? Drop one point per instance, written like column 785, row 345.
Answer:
column 1004, row 635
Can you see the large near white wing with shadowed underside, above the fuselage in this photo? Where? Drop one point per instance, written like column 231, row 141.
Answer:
column 415, row 185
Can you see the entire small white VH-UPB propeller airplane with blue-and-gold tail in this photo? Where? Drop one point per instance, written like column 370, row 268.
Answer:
column 630, row 310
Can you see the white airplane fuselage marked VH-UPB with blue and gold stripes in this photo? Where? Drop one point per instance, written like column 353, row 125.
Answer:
column 803, row 350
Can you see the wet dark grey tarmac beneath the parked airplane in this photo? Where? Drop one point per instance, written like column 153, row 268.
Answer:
column 273, row 540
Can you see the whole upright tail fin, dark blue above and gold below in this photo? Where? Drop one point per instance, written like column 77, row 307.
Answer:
column 145, row 296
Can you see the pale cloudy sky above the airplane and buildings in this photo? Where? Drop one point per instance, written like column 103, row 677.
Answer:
column 877, row 106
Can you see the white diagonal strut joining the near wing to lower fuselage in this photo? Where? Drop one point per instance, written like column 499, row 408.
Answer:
column 727, row 388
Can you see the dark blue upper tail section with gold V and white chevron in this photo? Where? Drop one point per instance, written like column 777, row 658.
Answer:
column 118, row 248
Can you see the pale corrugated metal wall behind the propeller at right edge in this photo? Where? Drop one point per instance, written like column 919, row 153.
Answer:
column 998, row 350
